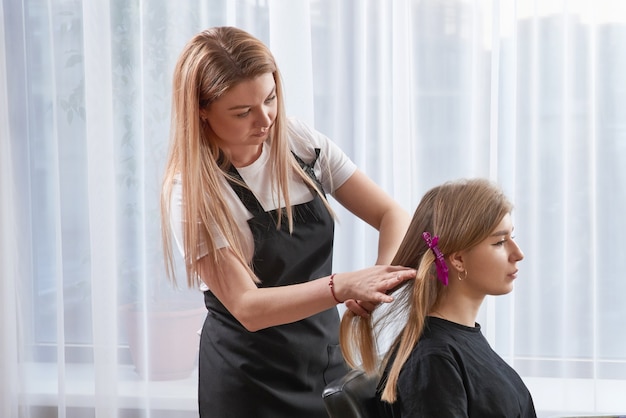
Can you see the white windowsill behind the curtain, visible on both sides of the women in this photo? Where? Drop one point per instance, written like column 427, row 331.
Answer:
column 43, row 389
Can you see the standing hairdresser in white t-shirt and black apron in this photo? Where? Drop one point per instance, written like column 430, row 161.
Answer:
column 244, row 198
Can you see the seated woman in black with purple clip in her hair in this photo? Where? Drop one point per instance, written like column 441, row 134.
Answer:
column 439, row 365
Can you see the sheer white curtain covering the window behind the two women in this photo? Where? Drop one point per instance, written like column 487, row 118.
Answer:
column 417, row 92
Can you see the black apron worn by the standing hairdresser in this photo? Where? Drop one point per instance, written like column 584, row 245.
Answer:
column 279, row 371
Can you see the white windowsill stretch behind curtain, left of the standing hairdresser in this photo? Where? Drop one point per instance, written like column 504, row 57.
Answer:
column 42, row 388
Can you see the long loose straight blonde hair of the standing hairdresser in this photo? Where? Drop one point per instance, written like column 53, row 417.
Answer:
column 213, row 62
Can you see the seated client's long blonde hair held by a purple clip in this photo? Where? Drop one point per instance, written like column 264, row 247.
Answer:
column 462, row 213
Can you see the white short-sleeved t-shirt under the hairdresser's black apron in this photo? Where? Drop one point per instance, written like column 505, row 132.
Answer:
column 332, row 169
